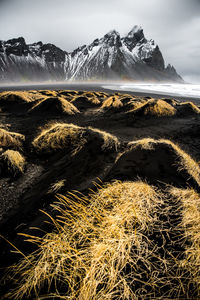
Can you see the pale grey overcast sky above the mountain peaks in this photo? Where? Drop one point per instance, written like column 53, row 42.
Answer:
column 173, row 24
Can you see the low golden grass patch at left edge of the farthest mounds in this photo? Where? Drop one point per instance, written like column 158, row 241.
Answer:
column 23, row 96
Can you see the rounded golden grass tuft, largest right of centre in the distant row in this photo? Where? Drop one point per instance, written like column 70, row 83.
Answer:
column 158, row 108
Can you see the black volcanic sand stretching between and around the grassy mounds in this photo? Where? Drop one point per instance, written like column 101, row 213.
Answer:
column 22, row 196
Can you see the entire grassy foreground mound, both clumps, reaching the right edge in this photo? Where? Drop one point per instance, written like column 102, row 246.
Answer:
column 124, row 244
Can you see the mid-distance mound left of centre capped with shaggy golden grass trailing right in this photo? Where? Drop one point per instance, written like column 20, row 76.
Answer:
column 70, row 137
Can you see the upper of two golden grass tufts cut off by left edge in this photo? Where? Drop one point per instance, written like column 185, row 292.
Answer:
column 10, row 139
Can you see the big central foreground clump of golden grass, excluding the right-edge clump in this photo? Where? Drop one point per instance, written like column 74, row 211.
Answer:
column 92, row 246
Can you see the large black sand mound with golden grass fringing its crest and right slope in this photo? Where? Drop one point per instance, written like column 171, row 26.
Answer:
column 157, row 161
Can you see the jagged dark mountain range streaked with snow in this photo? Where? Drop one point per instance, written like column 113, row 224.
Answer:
column 132, row 57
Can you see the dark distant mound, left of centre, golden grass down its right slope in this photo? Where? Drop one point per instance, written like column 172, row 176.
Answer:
column 54, row 105
